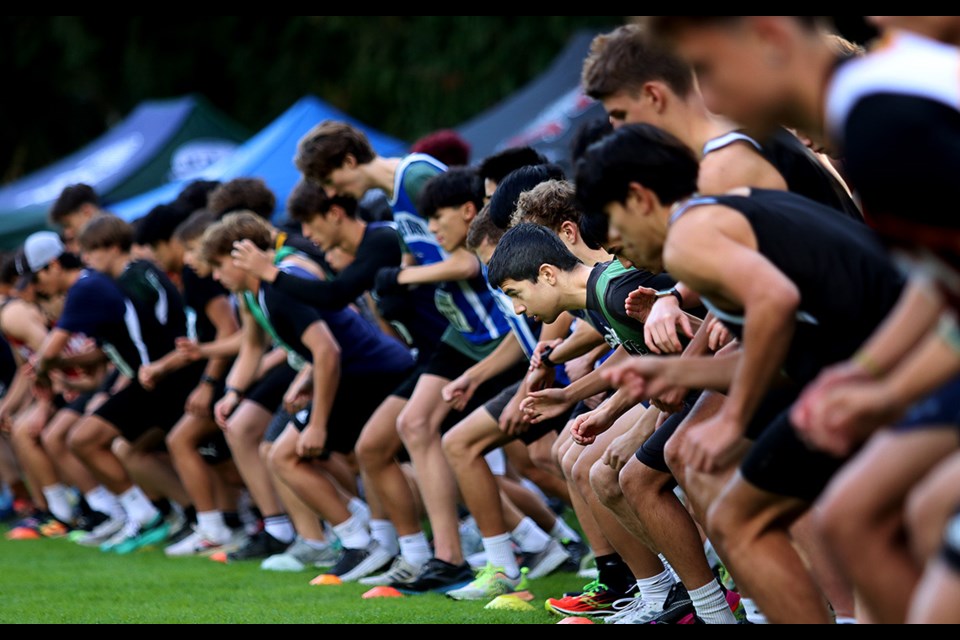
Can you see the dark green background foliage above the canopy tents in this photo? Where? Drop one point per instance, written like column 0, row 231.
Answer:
column 72, row 77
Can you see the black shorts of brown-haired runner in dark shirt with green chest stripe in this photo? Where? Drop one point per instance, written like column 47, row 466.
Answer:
column 358, row 397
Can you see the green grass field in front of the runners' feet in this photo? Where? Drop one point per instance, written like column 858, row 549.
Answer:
column 58, row 582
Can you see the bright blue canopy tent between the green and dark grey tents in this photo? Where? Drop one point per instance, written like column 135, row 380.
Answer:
column 267, row 155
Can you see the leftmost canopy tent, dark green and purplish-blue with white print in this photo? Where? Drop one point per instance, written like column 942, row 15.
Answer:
column 159, row 141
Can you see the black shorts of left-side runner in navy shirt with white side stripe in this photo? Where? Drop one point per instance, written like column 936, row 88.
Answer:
column 134, row 411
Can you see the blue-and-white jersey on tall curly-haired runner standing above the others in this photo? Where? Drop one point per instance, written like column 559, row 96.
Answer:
column 414, row 172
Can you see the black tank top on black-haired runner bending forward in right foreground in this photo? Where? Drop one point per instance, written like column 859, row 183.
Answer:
column 848, row 283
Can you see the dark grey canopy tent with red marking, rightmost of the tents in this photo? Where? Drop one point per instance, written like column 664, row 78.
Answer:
column 546, row 114
